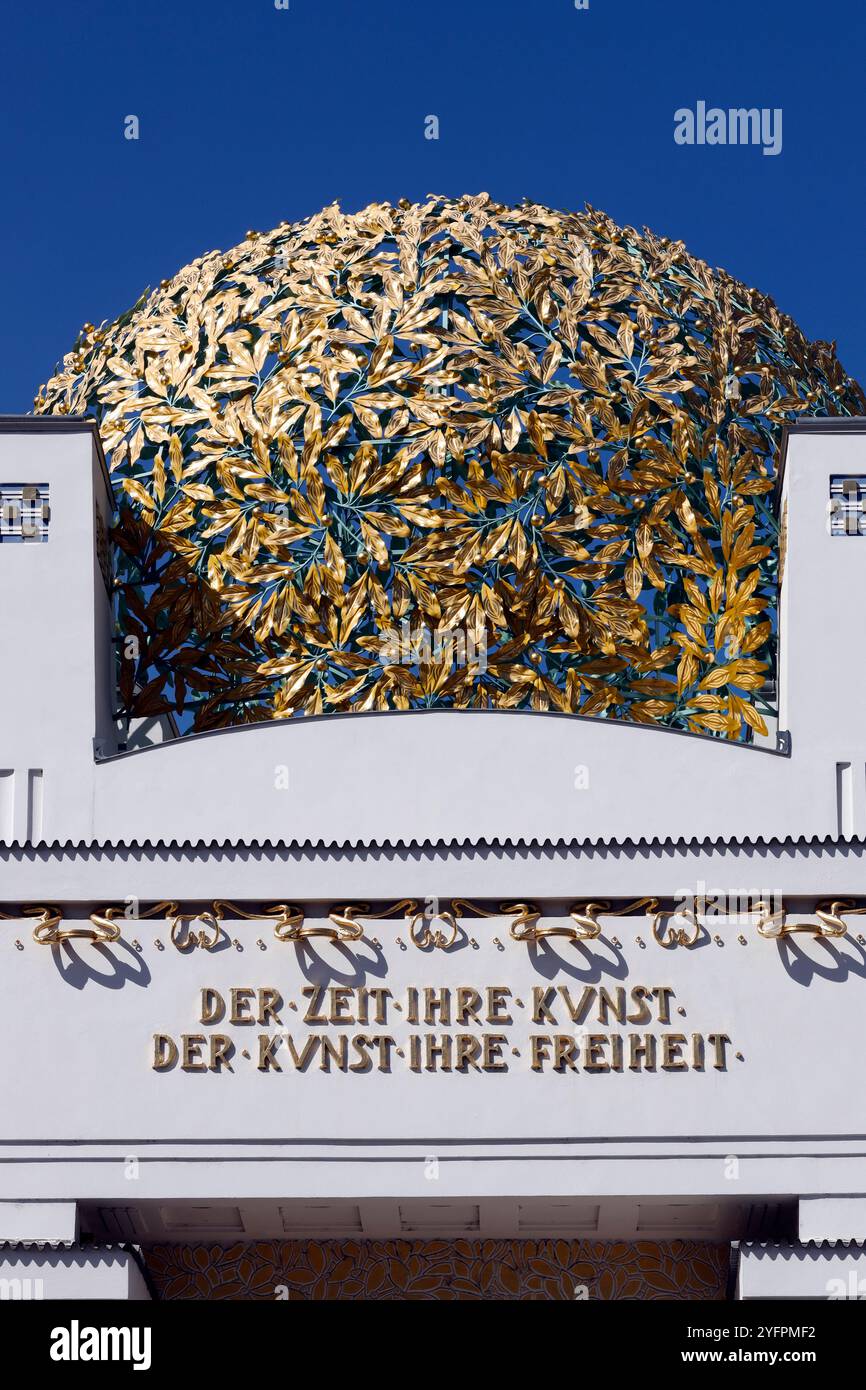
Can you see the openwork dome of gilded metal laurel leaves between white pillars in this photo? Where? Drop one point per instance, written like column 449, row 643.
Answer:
column 354, row 440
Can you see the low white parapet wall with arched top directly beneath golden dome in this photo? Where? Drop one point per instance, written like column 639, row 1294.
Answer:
column 455, row 776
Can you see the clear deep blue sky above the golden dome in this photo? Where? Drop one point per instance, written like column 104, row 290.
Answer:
column 252, row 115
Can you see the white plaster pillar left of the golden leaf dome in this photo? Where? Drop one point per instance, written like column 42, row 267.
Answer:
column 55, row 636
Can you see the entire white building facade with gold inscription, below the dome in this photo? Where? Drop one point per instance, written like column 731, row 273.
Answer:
column 750, row 1125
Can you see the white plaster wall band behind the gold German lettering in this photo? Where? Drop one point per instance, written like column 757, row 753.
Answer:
column 79, row 1022
